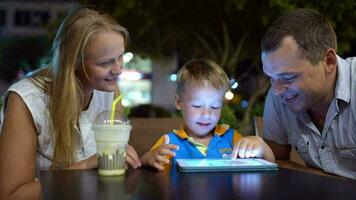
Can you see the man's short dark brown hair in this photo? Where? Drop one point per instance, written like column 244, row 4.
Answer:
column 312, row 32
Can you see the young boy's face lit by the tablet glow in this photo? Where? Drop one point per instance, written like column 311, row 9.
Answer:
column 201, row 109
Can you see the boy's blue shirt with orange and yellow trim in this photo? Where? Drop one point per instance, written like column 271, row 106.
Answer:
column 221, row 143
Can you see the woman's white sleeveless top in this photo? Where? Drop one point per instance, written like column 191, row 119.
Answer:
column 37, row 103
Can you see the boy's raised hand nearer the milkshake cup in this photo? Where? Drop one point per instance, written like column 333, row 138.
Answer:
column 158, row 157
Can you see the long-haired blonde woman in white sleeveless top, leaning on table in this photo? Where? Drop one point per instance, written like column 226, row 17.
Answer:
column 46, row 118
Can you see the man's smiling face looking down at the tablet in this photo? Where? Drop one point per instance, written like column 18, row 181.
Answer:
column 300, row 84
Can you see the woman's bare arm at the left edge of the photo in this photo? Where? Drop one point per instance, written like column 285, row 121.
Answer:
column 18, row 141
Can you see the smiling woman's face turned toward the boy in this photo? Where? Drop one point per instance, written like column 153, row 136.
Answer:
column 103, row 62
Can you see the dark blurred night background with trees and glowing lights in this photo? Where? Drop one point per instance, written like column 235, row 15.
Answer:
column 164, row 35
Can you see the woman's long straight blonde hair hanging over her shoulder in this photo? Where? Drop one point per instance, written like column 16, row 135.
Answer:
column 62, row 85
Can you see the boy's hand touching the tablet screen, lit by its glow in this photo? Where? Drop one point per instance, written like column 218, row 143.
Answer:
column 252, row 146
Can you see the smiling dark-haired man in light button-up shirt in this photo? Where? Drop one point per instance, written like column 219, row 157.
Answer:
column 311, row 105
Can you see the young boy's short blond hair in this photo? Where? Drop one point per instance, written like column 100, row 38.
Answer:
column 199, row 72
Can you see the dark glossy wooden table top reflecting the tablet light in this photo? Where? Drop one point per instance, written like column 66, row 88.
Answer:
column 146, row 183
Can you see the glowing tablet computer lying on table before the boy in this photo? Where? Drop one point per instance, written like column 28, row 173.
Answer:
column 239, row 164
